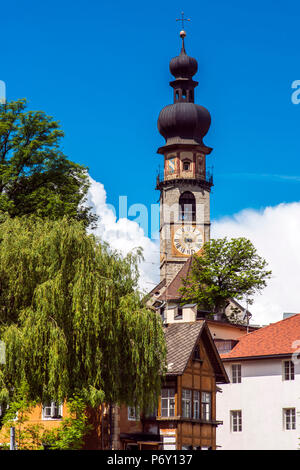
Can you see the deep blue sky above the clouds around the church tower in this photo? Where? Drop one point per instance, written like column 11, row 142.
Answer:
column 101, row 69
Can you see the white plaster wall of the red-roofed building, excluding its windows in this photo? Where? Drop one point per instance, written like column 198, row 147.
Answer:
column 261, row 396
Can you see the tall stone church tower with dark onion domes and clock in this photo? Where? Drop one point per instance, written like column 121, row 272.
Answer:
column 185, row 183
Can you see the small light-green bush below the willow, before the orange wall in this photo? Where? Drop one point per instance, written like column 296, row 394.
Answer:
column 70, row 434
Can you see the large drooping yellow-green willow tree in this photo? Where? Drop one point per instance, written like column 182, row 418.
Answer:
column 72, row 319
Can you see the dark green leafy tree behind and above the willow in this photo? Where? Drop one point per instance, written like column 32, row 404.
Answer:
column 35, row 176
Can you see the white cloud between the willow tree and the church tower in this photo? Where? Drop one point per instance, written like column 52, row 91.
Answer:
column 124, row 235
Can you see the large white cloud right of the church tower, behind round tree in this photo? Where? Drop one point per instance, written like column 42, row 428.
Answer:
column 274, row 231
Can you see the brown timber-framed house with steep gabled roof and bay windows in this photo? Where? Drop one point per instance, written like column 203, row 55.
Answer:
column 186, row 415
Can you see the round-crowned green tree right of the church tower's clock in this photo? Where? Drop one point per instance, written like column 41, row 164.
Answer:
column 225, row 269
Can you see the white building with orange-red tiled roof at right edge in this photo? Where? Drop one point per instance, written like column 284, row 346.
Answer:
column 260, row 406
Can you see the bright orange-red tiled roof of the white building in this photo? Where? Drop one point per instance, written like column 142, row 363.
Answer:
column 275, row 339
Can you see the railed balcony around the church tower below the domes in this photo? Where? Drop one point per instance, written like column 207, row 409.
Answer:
column 167, row 178
